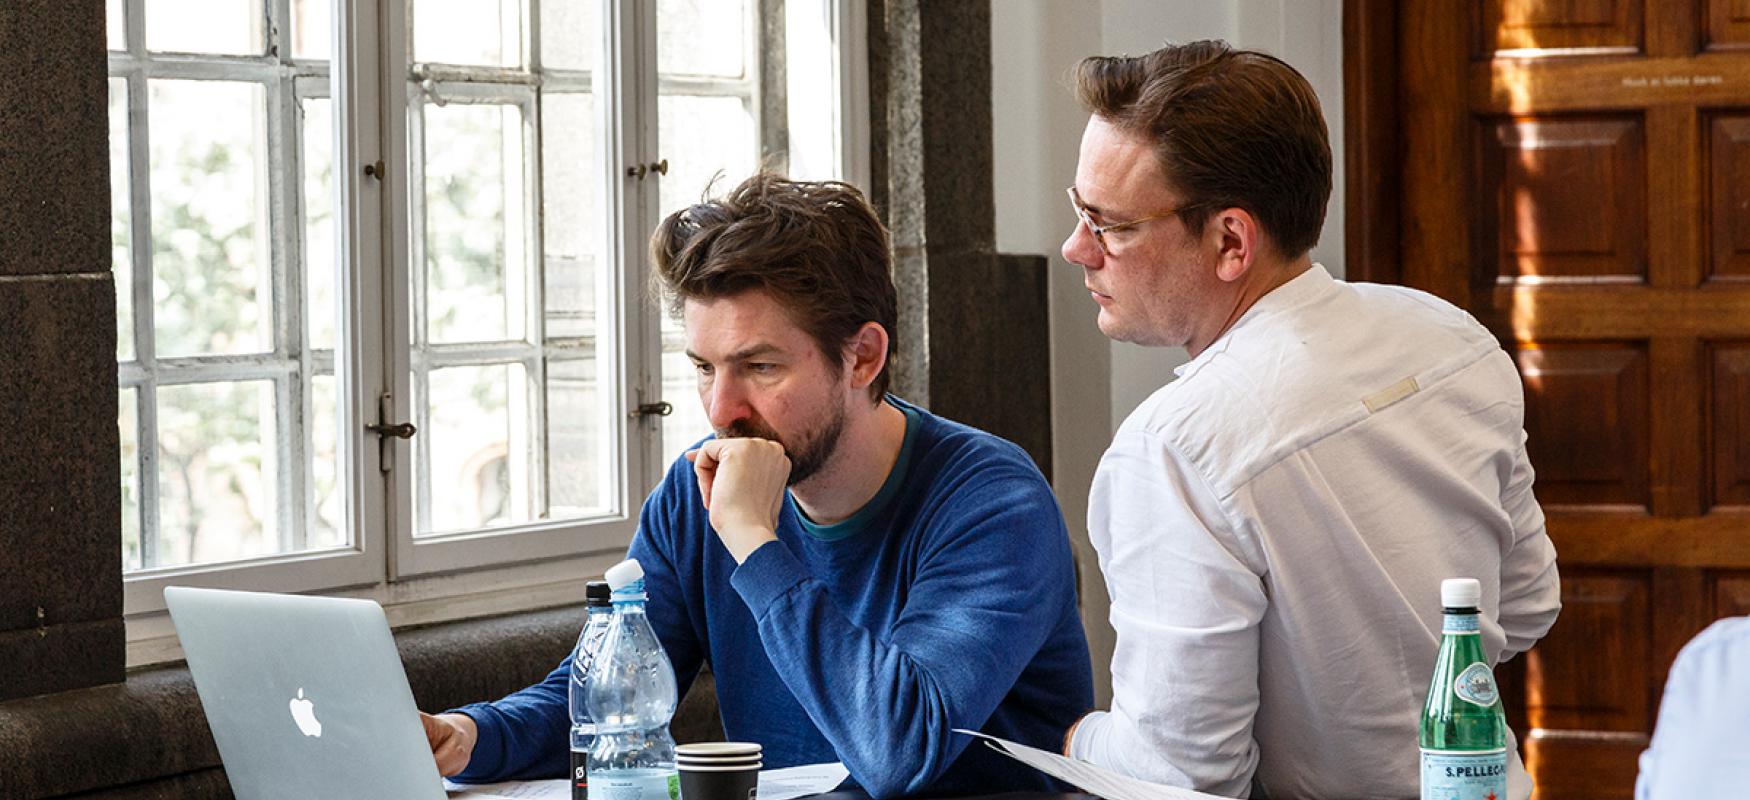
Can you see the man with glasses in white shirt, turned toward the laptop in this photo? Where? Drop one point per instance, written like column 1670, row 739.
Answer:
column 1275, row 524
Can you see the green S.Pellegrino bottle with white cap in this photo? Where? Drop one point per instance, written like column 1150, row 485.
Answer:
column 1464, row 731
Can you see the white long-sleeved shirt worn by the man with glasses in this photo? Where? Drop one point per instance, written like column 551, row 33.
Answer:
column 1275, row 528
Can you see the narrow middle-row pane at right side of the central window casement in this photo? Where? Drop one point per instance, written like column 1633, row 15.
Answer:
column 570, row 172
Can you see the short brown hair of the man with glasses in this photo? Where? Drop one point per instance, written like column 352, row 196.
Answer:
column 1231, row 129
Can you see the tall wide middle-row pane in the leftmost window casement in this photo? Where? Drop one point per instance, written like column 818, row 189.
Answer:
column 211, row 260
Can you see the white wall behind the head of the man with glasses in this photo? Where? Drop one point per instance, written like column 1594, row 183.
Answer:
column 1035, row 45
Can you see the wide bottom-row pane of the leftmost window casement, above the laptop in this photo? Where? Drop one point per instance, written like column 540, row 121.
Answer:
column 218, row 467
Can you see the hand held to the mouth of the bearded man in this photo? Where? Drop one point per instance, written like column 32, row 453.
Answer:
column 743, row 486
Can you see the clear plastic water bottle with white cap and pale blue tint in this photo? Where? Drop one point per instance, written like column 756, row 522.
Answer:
column 631, row 698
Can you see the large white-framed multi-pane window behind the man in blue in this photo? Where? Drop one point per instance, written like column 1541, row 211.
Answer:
column 314, row 241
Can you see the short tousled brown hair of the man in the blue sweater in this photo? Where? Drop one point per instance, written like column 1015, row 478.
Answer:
column 818, row 248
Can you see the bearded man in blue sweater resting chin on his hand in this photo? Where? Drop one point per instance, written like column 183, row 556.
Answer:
column 862, row 575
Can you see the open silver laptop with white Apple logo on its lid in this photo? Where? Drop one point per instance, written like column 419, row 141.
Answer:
column 305, row 696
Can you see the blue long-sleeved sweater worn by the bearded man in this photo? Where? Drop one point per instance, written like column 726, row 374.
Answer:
column 946, row 603
